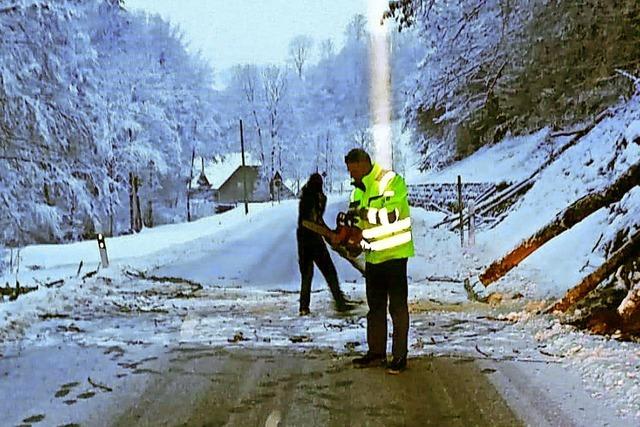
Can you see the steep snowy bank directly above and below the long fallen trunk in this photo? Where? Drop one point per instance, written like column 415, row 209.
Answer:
column 584, row 168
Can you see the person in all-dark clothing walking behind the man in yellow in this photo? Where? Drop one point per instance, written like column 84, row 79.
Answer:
column 312, row 248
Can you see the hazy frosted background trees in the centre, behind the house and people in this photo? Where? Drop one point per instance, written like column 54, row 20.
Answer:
column 319, row 118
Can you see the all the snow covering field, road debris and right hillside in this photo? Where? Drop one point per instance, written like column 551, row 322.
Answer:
column 247, row 269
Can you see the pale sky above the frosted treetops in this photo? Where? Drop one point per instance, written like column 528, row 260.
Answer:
column 252, row 31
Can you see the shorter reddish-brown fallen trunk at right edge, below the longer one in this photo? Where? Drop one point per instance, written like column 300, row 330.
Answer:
column 628, row 251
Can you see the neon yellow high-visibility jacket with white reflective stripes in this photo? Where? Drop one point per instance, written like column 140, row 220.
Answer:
column 386, row 227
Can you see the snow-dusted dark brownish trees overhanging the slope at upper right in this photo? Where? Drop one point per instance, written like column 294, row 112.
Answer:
column 492, row 67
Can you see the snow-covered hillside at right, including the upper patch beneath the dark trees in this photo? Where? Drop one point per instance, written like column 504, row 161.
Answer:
column 593, row 163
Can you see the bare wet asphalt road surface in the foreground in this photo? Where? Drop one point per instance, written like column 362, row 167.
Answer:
column 241, row 387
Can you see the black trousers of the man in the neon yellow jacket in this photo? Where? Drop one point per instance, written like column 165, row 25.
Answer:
column 387, row 282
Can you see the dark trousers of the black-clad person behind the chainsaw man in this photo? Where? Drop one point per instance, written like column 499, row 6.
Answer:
column 312, row 249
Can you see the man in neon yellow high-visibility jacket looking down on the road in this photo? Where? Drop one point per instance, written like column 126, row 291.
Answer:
column 379, row 204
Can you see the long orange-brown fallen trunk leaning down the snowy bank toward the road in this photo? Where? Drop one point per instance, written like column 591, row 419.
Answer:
column 572, row 215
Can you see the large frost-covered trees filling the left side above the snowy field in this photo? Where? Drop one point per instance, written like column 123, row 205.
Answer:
column 87, row 97
